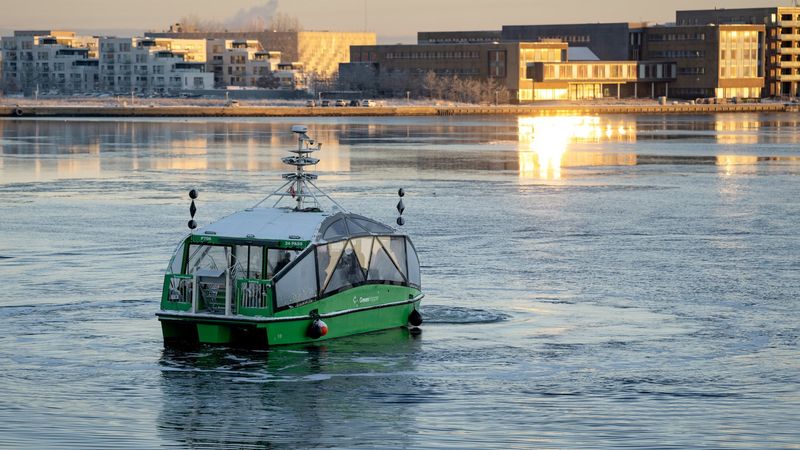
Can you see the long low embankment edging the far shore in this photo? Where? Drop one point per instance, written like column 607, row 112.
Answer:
column 289, row 111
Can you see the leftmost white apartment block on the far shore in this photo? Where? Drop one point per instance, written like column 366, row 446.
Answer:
column 49, row 60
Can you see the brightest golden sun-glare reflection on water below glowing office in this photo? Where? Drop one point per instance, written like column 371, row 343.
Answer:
column 544, row 143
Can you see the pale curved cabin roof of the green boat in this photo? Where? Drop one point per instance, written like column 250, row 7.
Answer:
column 271, row 224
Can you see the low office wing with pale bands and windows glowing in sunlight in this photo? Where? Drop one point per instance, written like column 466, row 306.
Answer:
column 571, row 80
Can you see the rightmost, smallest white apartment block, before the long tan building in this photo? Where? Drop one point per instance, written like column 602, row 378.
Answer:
column 241, row 63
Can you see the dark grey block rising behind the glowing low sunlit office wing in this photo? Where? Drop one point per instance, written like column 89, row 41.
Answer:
column 609, row 41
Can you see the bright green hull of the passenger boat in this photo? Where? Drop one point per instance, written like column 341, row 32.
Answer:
column 362, row 309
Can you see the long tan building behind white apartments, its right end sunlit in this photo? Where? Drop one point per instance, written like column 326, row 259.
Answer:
column 320, row 52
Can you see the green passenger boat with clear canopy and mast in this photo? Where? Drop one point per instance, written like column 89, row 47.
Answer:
column 290, row 274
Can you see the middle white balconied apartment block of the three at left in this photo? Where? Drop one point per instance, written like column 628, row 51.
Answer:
column 149, row 66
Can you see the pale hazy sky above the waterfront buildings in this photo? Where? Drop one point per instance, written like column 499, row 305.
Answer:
column 391, row 19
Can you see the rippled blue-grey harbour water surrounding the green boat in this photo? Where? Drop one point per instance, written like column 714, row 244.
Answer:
column 622, row 281
